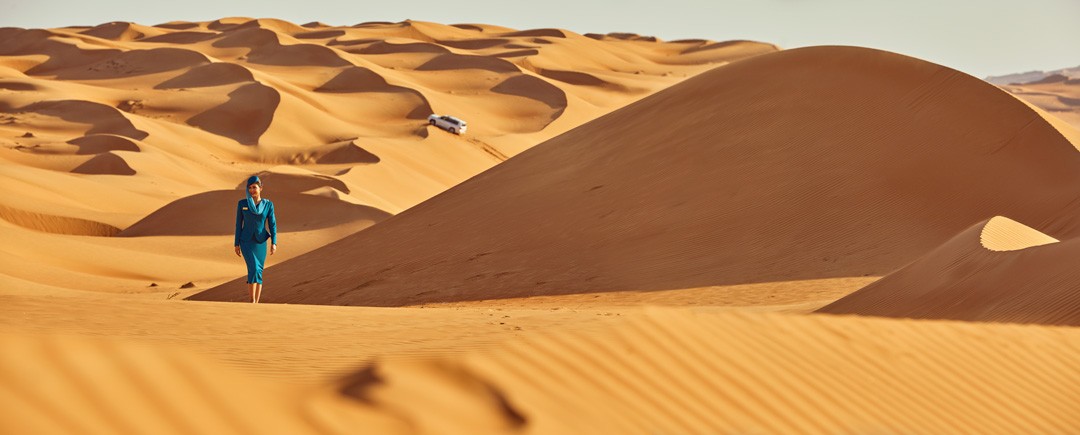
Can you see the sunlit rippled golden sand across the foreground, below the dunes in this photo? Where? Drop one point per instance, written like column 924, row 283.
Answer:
column 634, row 371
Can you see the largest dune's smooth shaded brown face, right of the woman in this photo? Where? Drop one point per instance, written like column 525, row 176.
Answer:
column 807, row 164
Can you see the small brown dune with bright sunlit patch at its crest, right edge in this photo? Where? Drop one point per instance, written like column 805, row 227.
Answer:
column 996, row 271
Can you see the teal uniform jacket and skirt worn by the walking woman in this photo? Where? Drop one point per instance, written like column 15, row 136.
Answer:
column 252, row 235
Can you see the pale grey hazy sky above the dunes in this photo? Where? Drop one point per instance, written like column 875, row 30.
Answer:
column 981, row 38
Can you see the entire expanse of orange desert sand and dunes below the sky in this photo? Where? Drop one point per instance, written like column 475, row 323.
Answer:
column 636, row 236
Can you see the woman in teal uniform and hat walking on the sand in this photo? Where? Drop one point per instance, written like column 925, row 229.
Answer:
column 254, row 217
